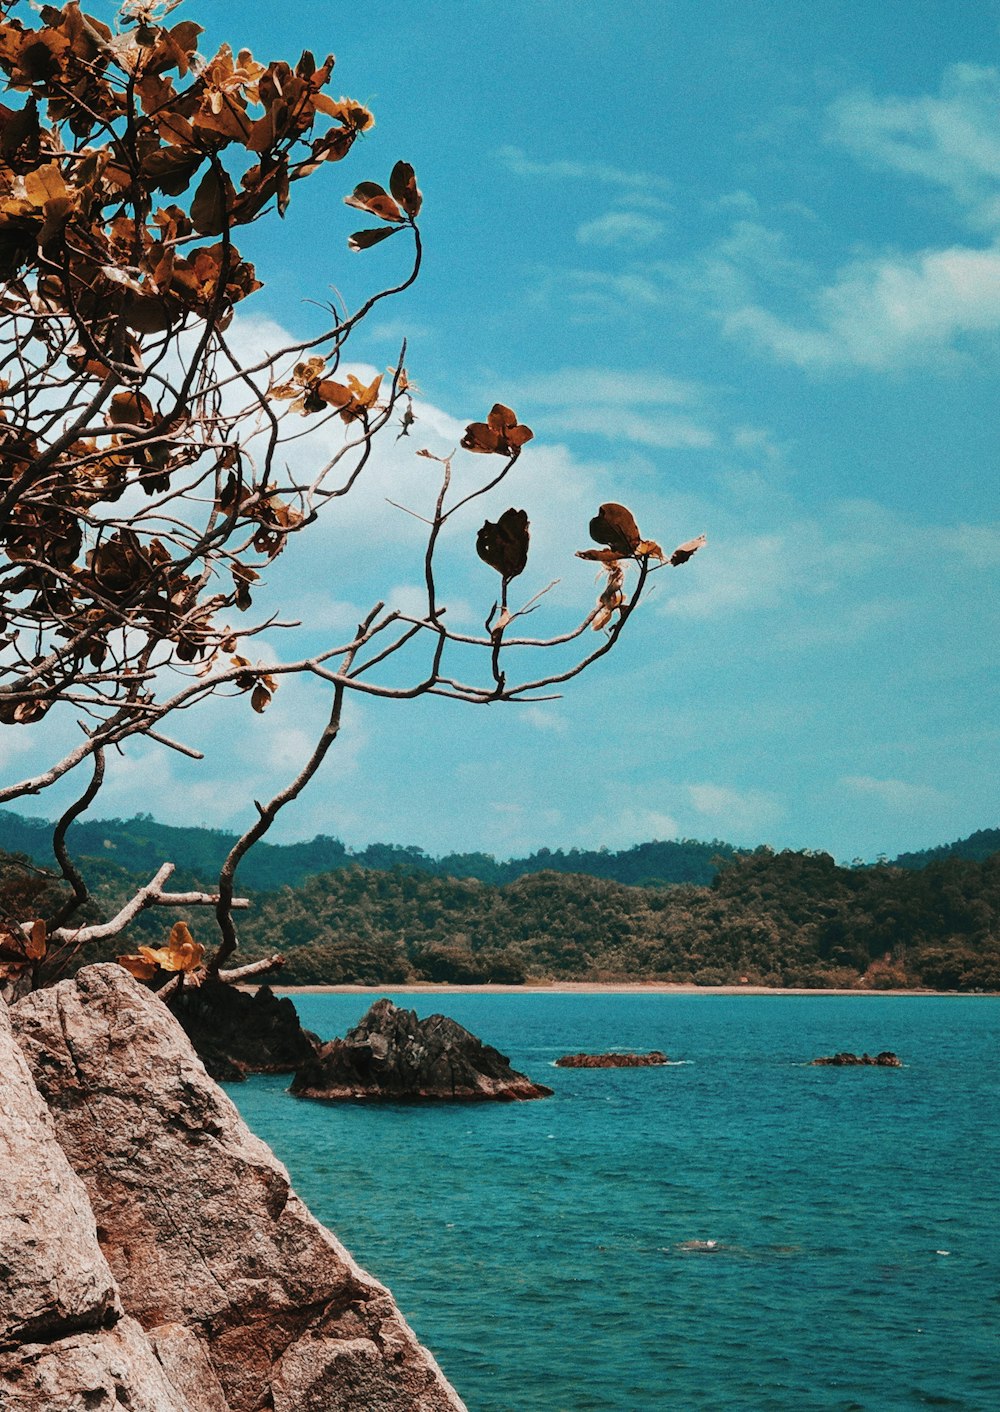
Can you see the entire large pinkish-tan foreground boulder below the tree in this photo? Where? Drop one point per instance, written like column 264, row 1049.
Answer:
column 155, row 1256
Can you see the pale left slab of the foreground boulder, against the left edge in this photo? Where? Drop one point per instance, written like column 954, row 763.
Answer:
column 64, row 1342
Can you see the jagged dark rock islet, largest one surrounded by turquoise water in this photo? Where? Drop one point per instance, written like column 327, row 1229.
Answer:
column 395, row 1055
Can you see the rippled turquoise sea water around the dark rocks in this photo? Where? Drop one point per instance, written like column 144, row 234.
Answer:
column 537, row 1249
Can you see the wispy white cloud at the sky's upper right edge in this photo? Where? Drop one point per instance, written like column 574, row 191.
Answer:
column 891, row 309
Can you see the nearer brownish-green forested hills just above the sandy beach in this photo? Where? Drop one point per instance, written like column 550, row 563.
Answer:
column 766, row 919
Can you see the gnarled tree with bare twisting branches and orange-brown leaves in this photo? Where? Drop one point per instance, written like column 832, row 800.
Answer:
column 143, row 488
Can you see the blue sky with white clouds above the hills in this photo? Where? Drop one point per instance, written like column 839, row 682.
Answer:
column 739, row 268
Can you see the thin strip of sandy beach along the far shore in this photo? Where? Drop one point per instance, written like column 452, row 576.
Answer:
column 583, row 988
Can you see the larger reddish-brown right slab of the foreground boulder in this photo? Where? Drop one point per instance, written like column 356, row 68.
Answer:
column 213, row 1252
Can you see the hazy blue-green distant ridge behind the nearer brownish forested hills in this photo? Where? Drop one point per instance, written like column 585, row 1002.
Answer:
column 141, row 845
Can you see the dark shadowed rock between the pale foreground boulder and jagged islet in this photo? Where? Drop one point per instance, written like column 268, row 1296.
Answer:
column 238, row 1033
